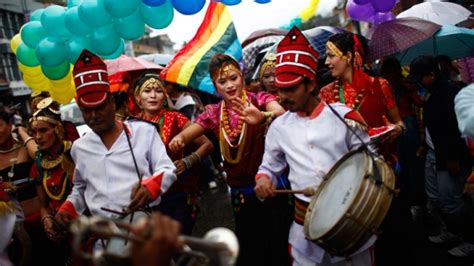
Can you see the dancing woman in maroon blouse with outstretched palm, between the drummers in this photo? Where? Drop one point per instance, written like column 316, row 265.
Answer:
column 240, row 121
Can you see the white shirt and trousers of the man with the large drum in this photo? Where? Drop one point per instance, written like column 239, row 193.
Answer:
column 310, row 147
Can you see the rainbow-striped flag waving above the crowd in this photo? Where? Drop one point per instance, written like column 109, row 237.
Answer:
column 189, row 67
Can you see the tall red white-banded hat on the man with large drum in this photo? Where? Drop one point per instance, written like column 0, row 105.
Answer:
column 296, row 59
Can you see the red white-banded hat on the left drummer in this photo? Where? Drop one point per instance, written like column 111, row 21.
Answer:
column 91, row 79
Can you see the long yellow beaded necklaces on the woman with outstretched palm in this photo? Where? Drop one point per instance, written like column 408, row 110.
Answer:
column 228, row 136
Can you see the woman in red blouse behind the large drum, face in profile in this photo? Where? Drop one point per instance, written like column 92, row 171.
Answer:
column 372, row 97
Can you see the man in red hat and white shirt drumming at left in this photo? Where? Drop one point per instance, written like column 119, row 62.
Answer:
column 109, row 159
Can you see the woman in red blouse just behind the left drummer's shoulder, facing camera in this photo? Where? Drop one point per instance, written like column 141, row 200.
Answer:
column 180, row 201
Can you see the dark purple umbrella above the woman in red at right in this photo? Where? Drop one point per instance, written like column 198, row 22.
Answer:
column 394, row 36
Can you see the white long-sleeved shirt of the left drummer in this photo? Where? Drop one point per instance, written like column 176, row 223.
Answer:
column 105, row 178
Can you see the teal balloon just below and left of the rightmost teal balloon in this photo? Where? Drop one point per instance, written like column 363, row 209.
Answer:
column 131, row 27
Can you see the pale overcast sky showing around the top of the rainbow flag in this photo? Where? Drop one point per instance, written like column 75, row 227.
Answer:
column 248, row 16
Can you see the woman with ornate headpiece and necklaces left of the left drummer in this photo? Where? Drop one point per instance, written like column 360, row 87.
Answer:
column 53, row 171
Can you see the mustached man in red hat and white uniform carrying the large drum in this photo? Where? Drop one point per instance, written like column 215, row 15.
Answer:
column 309, row 138
